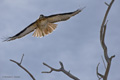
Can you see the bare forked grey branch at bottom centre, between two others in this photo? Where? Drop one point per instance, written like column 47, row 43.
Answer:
column 60, row 70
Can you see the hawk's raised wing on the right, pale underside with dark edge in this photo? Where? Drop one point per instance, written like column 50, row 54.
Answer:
column 62, row 17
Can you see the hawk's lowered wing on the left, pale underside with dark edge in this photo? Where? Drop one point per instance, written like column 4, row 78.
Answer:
column 24, row 32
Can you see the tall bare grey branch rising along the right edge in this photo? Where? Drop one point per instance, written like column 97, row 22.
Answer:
column 102, row 40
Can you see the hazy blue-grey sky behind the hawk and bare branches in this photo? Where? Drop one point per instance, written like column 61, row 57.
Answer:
column 74, row 42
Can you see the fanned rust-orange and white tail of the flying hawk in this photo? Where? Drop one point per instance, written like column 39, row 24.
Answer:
column 42, row 32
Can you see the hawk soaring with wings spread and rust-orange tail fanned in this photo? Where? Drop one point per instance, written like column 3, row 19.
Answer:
column 44, row 25
